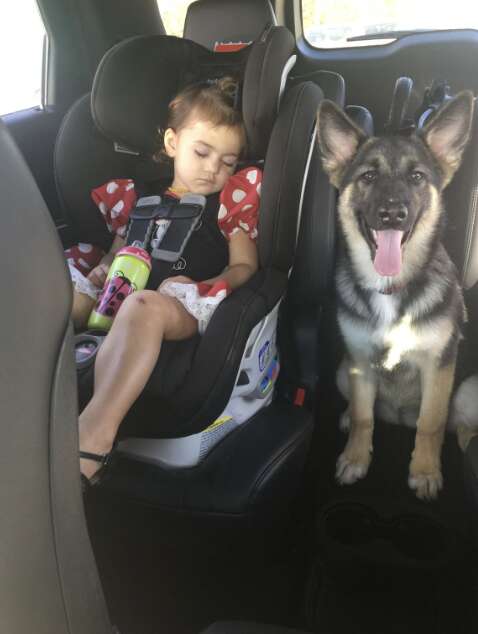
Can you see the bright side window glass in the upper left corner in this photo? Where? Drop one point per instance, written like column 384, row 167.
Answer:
column 21, row 56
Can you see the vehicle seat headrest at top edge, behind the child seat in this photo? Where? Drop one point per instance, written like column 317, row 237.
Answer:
column 211, row 22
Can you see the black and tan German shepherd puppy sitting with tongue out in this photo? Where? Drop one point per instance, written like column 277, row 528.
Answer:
column 400, row 306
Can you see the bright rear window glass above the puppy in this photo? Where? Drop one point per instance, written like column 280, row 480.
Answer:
column 333, row 23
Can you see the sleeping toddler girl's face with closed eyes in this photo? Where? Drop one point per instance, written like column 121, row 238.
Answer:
column 204, row 155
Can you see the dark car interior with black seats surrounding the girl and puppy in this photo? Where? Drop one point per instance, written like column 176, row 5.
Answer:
column 221, row 513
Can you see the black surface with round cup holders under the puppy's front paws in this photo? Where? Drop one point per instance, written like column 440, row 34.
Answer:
column 385, row 561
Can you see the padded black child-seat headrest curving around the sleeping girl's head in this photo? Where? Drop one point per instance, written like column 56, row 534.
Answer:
column 138, row 77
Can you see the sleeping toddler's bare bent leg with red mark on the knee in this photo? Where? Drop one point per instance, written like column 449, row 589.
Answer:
column 124, row 364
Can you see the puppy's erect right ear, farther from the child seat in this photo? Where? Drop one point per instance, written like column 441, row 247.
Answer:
column 448, row 132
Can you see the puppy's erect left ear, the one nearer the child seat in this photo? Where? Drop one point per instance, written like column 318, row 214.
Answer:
column 339, row 139
